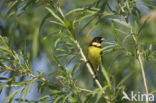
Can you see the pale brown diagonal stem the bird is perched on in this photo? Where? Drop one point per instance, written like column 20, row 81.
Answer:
column 88, row 65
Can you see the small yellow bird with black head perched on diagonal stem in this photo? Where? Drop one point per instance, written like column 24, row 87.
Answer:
column 94, row 54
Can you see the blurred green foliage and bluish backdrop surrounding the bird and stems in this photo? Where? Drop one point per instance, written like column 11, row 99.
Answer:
column 33, row 32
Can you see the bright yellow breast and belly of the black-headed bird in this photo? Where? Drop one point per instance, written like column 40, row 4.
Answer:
column 94, row 55
